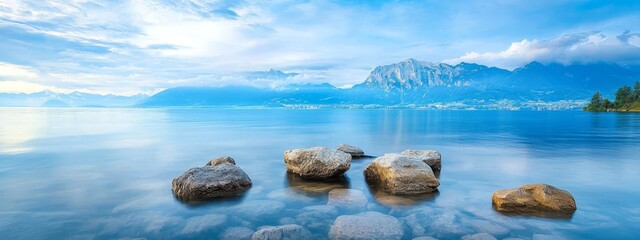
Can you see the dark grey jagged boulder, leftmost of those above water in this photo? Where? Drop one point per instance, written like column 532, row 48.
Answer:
column 208, row 182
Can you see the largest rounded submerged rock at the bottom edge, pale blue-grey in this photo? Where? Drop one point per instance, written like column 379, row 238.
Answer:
column 366, row 225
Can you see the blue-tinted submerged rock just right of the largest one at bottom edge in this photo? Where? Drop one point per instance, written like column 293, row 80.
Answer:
column 438, row 222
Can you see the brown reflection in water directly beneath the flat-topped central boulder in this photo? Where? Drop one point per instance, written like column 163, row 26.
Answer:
column 315, row 187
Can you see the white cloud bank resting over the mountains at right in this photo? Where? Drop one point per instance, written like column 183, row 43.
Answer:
column 566, row 49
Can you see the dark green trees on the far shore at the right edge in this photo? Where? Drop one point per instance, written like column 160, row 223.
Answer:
column 626, row 99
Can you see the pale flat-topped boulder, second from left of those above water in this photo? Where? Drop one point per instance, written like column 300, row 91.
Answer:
column 317, row 162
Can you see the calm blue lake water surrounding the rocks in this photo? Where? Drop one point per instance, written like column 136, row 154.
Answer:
column 104, row 173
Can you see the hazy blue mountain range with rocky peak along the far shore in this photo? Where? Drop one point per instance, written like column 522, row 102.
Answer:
column 410, row 83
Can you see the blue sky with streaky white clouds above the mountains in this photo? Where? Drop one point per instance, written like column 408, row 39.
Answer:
column 143, row 46
